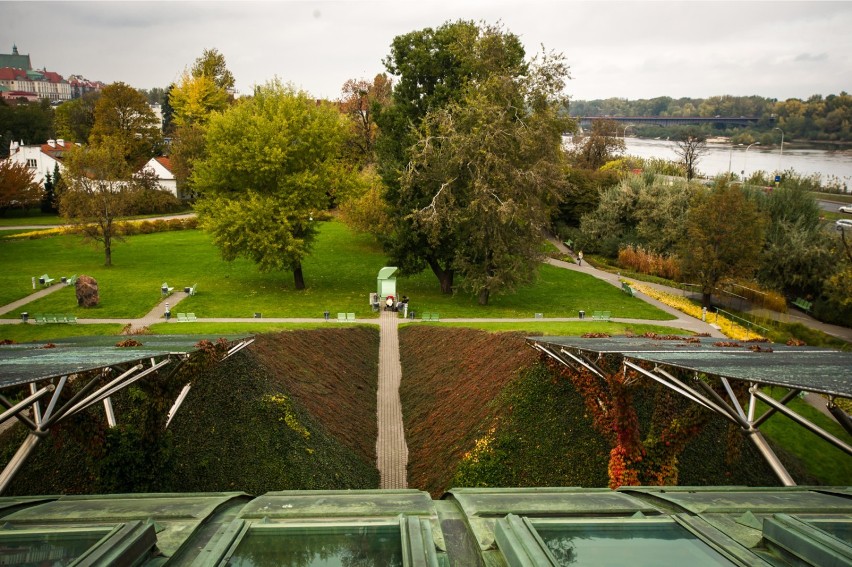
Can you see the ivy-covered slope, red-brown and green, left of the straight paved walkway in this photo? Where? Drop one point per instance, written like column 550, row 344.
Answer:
column 294, row 411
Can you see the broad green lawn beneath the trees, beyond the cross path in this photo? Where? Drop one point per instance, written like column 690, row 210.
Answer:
column 340, row 275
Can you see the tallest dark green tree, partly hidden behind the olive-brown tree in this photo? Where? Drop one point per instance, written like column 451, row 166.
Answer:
column 434, row 67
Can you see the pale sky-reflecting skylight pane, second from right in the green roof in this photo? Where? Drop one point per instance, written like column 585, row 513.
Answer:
column 618, row 544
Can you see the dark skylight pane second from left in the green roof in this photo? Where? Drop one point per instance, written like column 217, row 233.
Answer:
column 343, row 546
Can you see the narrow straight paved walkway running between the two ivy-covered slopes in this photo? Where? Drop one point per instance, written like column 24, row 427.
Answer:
column 391, row 449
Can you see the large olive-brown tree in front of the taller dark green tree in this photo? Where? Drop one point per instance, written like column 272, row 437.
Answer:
column 493, row 164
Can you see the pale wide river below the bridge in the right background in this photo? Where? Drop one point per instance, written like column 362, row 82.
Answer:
column 831, row 166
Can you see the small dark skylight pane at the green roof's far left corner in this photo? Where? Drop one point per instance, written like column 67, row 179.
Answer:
column 37, row 550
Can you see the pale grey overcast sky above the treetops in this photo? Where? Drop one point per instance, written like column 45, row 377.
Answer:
column 629, row 50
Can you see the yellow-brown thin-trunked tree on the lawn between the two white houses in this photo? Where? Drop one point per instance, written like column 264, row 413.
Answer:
column 97, row 192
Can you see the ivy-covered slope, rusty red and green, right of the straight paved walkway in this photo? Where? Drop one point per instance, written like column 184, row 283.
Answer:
column 483, row 407
